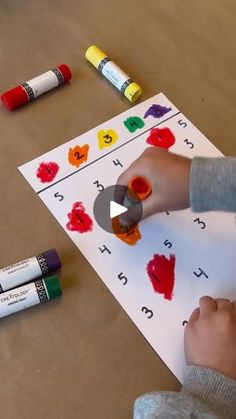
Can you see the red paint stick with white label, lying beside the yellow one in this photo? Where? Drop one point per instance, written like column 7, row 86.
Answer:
column 26, row 92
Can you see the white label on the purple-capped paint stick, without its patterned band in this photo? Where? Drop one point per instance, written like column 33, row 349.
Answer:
column 19, row 273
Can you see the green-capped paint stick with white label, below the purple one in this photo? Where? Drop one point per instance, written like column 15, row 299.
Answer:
column 29, row 295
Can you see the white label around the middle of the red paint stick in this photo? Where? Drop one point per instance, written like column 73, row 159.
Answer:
column 43, row 83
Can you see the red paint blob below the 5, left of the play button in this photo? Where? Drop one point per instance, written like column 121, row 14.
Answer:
column 78, row 219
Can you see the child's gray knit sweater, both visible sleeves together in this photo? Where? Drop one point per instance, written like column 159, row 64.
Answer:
column 206, row 393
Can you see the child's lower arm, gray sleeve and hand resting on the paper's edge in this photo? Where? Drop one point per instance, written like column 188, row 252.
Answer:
column 209, row 388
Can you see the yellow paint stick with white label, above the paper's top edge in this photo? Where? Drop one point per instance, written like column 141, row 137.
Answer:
column 113, row 73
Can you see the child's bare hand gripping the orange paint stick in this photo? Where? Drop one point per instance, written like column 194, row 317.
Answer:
column 168, row 175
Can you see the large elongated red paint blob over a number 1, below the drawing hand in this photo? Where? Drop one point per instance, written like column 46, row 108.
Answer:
column 161, row 272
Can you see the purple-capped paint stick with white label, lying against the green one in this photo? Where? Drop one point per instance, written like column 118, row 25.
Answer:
column 28, row 269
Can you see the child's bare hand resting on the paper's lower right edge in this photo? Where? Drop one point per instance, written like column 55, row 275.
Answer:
column 210, row 336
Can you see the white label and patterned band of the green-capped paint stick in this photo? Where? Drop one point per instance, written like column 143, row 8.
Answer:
column 23, row 297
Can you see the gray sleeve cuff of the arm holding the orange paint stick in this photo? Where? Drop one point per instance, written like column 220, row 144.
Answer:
column 213, row 184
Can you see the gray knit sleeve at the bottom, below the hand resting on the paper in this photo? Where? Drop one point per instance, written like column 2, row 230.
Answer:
column 206, row 394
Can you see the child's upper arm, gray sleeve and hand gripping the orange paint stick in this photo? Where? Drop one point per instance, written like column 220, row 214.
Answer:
column 178, row 182
